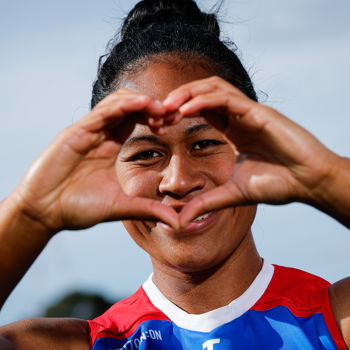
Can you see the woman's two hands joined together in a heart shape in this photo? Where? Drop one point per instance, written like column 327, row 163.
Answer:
column 74, row 184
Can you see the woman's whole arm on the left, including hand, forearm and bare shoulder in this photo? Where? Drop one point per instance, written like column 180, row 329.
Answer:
column 72, row 185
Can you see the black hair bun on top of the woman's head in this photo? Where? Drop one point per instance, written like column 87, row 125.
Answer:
column 148, row 13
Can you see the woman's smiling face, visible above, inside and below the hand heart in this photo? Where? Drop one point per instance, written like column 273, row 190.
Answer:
column 189, row 159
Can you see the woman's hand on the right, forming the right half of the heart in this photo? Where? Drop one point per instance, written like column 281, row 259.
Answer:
column 278, row 161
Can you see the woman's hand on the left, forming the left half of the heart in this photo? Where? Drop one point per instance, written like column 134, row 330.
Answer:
column 73, row 183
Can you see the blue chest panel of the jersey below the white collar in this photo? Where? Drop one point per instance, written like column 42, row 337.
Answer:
column 276, row 328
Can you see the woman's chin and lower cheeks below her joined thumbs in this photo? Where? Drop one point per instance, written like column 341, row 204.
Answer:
column 197, row 250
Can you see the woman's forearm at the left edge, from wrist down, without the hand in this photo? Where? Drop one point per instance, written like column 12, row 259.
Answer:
column 21, row 241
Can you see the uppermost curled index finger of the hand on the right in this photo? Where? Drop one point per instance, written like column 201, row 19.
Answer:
column 188, row 91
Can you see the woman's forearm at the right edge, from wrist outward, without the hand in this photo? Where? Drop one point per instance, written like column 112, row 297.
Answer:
column 333, row 194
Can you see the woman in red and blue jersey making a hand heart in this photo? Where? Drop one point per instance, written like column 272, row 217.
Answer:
column 177, row 147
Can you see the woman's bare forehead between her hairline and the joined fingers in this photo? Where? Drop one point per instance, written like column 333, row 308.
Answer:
column 159, row 78
